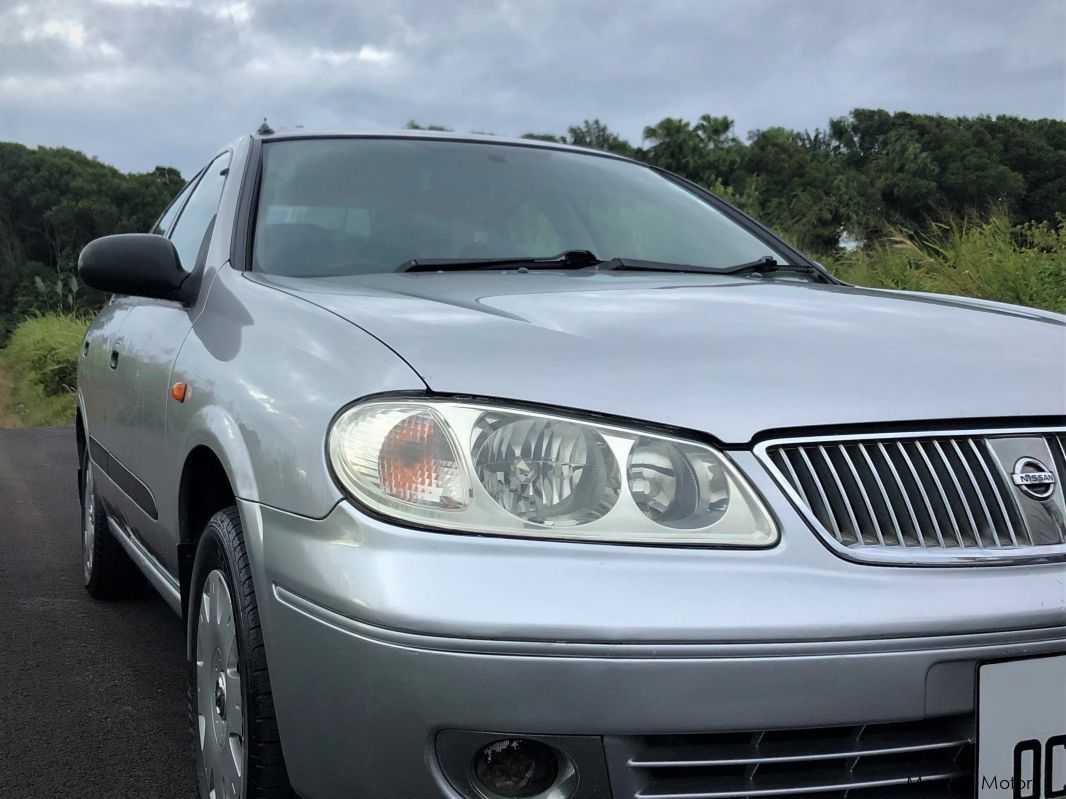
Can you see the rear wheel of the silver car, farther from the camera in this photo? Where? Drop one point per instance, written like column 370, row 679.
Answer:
column 107, row 569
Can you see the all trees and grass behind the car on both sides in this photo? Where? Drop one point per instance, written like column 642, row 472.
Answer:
column 913, row 202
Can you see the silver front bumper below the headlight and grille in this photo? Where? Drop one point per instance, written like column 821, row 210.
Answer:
column 379, row 639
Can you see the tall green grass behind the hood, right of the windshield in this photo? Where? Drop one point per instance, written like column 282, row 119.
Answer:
column 975, row 258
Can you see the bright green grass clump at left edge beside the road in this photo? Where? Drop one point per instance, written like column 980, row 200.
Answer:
column 41, row 363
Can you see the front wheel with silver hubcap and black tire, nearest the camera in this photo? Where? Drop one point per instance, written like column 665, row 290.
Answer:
column 235, row 739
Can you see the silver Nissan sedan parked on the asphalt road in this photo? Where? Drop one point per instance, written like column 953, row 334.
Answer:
column 488, row 469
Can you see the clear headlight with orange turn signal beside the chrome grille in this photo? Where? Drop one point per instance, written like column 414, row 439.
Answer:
column 475, row 468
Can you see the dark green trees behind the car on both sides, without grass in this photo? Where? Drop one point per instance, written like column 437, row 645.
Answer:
column 861, row 180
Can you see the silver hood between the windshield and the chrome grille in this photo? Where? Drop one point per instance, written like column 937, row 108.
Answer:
column 729, row 356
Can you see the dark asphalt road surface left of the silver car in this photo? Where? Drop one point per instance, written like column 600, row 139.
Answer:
column 92, row 694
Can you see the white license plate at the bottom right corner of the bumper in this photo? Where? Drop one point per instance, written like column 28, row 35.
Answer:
column 1022, row 729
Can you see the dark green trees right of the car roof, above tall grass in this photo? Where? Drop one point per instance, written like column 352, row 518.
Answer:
column 865, row 175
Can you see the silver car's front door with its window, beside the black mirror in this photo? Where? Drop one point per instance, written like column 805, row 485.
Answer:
column 142, row 360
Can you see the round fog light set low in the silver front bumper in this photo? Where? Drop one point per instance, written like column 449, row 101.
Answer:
column 515, row 769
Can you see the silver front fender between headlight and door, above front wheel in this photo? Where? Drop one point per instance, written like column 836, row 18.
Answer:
column 266, row 373
